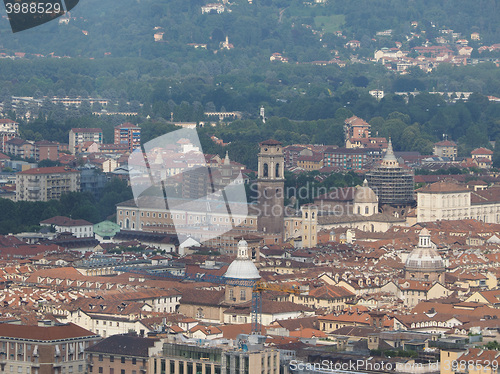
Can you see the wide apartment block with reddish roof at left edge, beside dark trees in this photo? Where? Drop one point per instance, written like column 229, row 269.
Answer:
column 44, row 184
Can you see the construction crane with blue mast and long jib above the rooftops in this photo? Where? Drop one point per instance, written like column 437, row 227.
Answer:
column 256, row 285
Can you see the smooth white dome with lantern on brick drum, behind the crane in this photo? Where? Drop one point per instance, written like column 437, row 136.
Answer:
column 241, row 269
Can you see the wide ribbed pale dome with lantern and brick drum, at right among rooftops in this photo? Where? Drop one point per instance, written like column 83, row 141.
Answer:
column 424, row 263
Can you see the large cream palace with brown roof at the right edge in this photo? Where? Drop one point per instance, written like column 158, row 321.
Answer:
column 448, row 200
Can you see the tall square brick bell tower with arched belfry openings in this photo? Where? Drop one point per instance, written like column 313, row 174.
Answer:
column 271, row 185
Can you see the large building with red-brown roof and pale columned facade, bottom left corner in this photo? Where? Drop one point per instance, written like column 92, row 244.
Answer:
column 44, row 349
